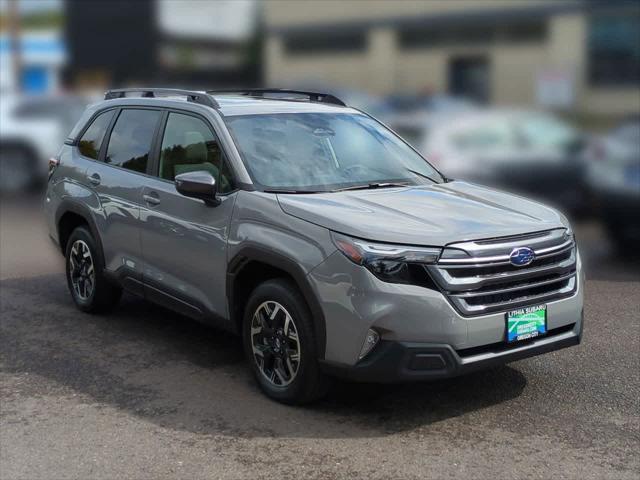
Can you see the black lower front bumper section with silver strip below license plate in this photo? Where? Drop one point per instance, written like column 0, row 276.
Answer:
column 393, row 361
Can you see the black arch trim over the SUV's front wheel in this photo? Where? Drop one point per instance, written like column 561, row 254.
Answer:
column 284, row 263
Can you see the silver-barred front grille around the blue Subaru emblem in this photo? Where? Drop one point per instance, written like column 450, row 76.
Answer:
column 480, row 279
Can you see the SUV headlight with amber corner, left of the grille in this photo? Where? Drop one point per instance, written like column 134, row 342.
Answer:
column 388, row 262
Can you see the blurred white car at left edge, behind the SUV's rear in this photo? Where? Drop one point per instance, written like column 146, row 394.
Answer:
column 31, row 130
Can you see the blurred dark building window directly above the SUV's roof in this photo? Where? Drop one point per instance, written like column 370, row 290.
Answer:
column 325, row 42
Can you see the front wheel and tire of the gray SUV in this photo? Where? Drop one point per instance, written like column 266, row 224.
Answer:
column 277, row 308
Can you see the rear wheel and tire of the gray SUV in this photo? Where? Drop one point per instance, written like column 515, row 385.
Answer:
column 89, row 288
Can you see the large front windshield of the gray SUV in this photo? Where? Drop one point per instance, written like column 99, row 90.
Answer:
column 325, row 151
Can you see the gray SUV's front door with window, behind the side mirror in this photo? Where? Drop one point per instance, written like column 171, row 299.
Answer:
column 184, row 241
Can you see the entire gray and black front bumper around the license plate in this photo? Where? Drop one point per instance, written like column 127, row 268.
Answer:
column 410, row 317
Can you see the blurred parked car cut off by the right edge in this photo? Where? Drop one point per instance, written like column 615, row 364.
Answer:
column 613, row 178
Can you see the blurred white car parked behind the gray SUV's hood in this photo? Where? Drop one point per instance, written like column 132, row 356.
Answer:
column 522, row 151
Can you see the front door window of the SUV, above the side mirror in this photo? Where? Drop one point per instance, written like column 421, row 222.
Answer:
column 189, row 145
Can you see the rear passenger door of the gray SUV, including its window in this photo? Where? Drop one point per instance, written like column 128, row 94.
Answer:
column 117, row 178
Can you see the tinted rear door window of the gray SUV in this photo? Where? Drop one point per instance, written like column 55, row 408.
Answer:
column 131, row 139
